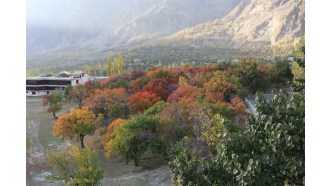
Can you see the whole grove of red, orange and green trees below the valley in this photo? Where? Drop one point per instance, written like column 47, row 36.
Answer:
column 194, row 118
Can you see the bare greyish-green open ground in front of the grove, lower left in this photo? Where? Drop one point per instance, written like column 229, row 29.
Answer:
column 39, row 125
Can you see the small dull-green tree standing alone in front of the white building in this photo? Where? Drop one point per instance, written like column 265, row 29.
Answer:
column 53, row 101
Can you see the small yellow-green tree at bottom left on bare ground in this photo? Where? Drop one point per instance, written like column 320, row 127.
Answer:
column 75, row 166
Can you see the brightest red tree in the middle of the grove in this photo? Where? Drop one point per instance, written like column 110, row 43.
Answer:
column 143, row 100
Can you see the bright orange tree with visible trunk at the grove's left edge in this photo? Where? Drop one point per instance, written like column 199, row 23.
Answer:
column 78, row 122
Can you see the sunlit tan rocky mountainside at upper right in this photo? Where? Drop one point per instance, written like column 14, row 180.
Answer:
column 252, row 24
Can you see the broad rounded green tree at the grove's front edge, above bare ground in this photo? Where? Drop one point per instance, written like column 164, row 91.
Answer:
column 139, row 134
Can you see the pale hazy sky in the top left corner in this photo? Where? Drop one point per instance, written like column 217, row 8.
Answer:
column 61, row 13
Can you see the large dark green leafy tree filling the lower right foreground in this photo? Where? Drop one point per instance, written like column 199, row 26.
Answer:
column 271, row 151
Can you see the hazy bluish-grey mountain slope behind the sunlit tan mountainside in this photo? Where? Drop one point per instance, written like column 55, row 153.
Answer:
column 168, row 16
